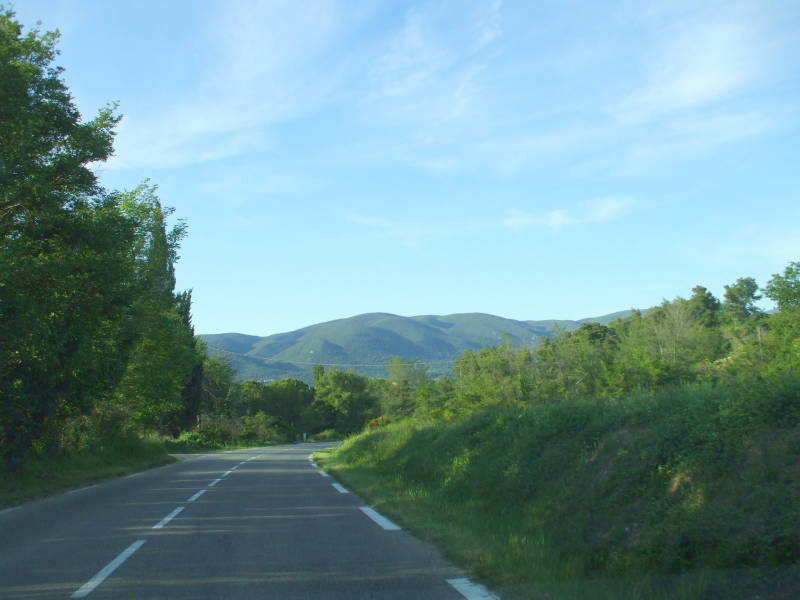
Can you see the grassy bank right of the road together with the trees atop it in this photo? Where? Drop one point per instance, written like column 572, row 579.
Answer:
column 656, row 457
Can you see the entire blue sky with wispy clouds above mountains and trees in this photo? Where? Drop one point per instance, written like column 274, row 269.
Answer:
column 534, row 160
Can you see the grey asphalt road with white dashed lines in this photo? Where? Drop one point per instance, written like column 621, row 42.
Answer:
column 260, row 523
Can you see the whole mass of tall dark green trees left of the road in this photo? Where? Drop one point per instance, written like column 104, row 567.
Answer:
column 91, row 332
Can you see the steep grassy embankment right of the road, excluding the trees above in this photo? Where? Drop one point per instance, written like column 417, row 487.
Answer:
column 686, row 493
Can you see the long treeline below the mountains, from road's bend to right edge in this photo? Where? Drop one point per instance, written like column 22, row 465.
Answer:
column 682, row 341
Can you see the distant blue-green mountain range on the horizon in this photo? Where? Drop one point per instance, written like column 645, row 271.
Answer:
column 365, row 342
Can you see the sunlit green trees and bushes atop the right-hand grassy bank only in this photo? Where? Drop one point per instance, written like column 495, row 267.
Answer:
column 681, row 341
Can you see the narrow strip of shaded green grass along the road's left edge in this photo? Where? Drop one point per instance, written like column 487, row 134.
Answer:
column 43, row 475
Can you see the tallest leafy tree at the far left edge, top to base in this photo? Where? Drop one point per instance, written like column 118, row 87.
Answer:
column 64, row 267
